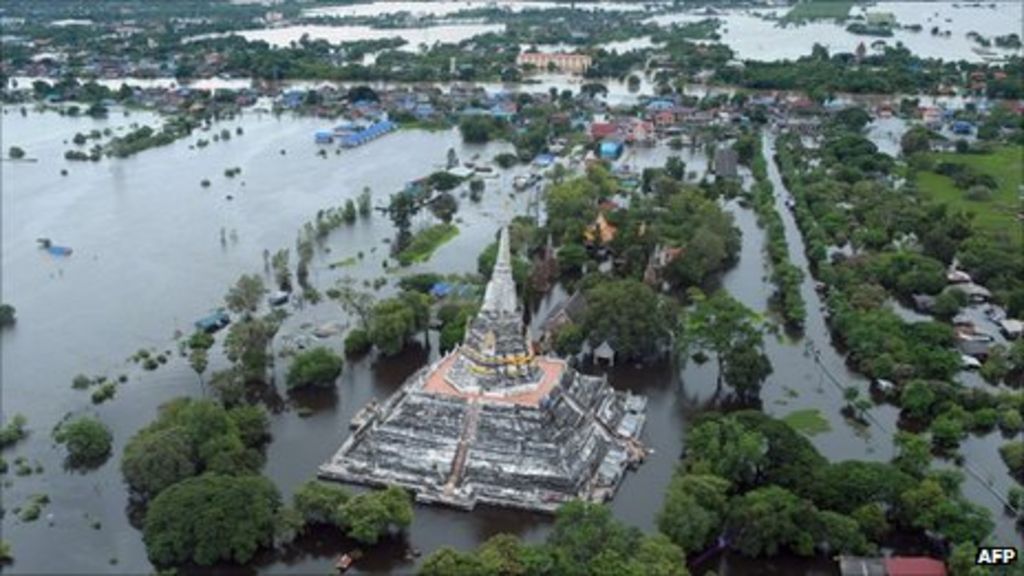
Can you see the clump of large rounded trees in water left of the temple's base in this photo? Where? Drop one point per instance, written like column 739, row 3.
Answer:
column 196, row 469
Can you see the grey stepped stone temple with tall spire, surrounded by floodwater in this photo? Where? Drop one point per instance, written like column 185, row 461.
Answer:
column 492, row 423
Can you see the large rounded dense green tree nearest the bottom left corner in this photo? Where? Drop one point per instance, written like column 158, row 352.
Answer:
column 211, row 519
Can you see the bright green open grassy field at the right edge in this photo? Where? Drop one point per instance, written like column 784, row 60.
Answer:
column 1005, row 166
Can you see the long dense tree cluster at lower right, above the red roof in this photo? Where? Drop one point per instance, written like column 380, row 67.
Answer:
column 764, row 488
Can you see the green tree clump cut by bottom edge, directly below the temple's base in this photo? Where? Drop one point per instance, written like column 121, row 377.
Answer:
column 586, row 540
